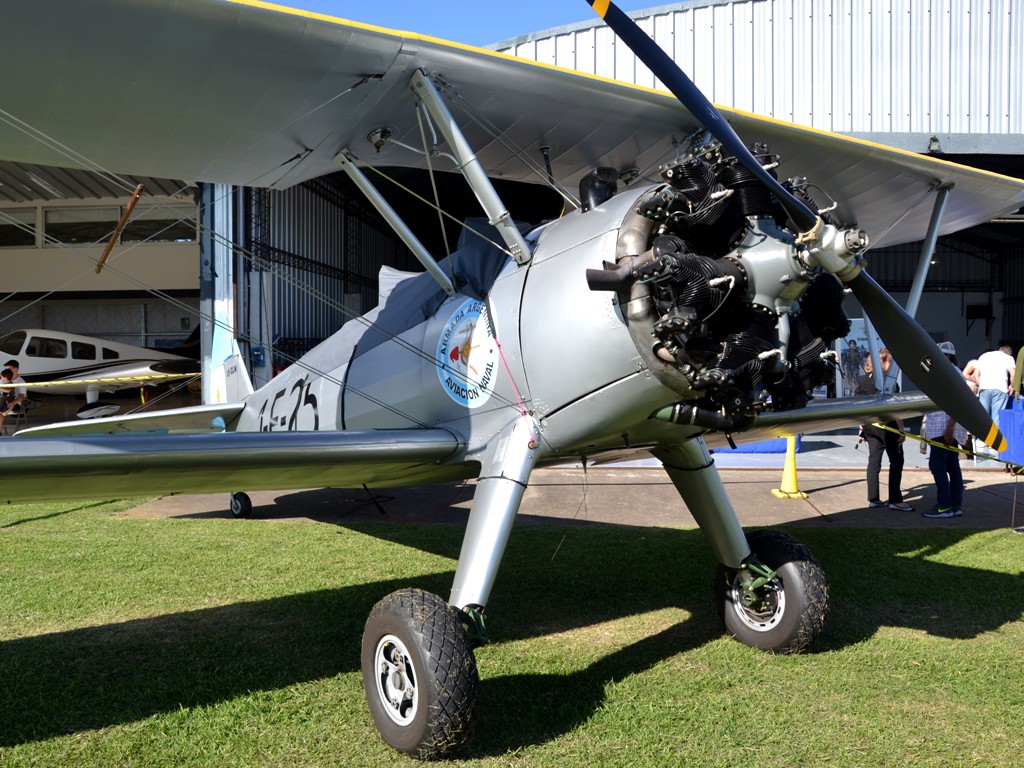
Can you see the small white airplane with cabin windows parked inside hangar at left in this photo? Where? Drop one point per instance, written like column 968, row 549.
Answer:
column 61, row 363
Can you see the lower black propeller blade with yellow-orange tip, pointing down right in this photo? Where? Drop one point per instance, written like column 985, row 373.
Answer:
column 922, row 360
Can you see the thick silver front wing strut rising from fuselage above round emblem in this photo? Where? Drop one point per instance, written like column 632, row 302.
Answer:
column 471, row 167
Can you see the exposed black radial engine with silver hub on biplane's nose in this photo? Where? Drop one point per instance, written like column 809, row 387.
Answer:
column 727, row 306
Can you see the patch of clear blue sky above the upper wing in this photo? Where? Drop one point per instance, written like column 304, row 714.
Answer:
column 480, row 23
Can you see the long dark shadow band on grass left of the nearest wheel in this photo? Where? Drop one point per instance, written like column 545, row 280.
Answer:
column 98, row 677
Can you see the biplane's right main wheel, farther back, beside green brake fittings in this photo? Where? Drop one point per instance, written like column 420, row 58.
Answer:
column 791, row 612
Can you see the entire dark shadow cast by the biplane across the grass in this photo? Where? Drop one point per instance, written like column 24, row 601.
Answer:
column 553, row 580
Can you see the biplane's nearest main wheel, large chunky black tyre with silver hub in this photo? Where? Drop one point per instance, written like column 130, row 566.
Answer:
column 419, row 674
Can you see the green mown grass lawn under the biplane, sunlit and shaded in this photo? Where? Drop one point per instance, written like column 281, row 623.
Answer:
column 219, row 643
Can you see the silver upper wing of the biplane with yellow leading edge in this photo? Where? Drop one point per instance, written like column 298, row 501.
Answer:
column 248, row 94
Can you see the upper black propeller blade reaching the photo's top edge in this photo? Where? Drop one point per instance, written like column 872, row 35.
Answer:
column 691, row 97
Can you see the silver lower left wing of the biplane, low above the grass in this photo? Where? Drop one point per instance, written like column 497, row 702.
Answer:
column 39, row 470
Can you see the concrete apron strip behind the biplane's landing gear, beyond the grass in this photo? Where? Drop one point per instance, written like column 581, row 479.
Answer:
column 830, row 471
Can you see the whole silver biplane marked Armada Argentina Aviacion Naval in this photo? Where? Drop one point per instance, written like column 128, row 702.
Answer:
column 689, row 294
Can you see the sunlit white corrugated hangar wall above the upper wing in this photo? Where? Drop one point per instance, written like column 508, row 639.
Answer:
column 845, row 66
